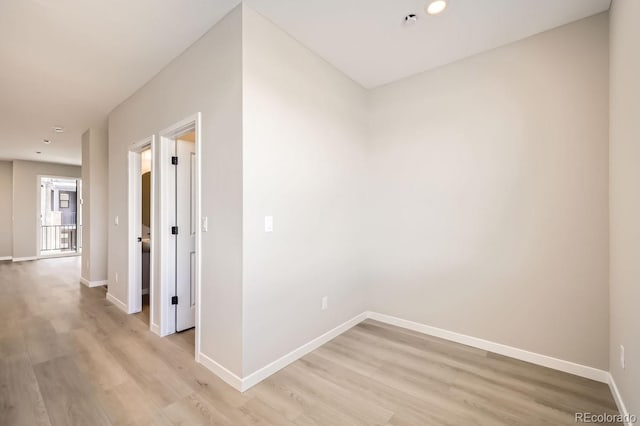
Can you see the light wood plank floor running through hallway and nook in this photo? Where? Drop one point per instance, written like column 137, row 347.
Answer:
column 69, row 357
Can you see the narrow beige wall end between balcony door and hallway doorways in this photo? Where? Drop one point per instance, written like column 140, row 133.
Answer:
column 95, row 204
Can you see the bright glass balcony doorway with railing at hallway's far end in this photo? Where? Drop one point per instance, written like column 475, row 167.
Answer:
column 60, row 228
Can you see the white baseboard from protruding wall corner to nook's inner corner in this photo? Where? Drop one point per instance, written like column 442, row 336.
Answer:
column 266, row 371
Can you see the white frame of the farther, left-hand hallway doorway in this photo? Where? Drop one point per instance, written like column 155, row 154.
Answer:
column 134, row 229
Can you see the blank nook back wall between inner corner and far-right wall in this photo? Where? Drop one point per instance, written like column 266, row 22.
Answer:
column 489, row 189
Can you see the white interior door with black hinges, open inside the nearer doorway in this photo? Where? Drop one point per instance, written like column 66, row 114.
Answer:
column 186, row 238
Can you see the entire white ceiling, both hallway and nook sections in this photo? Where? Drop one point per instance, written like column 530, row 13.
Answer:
column 70, row 62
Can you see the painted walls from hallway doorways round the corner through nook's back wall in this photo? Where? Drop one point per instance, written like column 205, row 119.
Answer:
column 487, row 184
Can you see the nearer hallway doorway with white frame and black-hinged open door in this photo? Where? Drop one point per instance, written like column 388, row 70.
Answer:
column 179, row 229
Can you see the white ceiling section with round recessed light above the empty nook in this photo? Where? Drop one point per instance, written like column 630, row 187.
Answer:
column 368, row 41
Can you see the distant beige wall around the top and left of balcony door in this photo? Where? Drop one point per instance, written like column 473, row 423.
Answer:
column 26, row 217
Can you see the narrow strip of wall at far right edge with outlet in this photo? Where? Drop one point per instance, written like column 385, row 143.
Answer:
column 625, row 198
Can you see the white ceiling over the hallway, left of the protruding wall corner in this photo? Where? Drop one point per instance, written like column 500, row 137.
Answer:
column 70, row 62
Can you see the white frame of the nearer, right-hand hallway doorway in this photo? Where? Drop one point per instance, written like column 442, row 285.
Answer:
column 167, row 285
